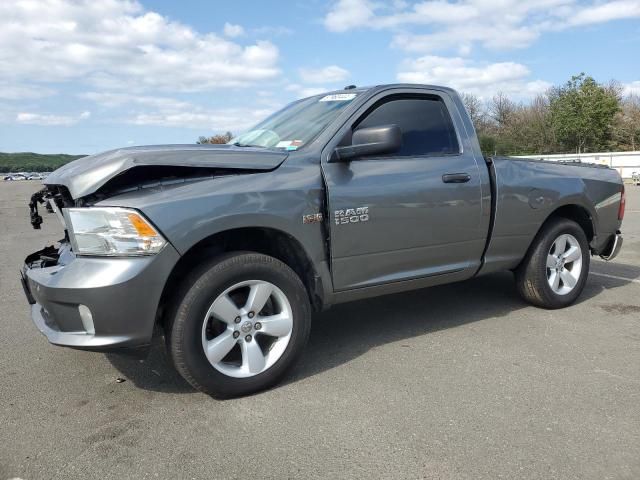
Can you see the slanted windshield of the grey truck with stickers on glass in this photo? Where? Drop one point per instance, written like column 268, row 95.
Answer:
column 296, row 124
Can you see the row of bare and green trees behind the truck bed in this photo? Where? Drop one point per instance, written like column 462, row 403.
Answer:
column 580, row 116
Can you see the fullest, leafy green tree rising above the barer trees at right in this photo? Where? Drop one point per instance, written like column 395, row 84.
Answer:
column 582, row 113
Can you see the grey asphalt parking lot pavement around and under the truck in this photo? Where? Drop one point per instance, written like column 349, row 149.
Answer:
column 463, row 381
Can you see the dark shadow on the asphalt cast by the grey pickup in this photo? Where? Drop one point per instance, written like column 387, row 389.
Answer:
column 347, row 331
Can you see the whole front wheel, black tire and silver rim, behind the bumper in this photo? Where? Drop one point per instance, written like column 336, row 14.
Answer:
column 239, row 324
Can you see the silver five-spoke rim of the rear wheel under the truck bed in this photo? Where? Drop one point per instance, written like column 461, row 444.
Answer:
column 564, row 264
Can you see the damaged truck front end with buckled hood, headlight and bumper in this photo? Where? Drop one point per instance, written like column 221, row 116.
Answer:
column 86, row 291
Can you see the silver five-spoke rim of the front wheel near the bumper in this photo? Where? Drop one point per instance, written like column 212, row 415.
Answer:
column 247, row 328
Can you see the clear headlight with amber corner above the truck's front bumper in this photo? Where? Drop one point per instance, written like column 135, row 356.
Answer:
column 111, row 231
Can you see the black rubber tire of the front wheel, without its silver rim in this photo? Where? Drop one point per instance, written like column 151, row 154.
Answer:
column 183, row 332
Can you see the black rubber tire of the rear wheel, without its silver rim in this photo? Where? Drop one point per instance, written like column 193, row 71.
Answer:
column 531, row 274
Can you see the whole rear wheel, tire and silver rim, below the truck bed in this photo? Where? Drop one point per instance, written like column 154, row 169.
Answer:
column 555, row 270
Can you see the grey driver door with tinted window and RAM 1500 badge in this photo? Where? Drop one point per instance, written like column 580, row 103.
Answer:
column 395, row 216
